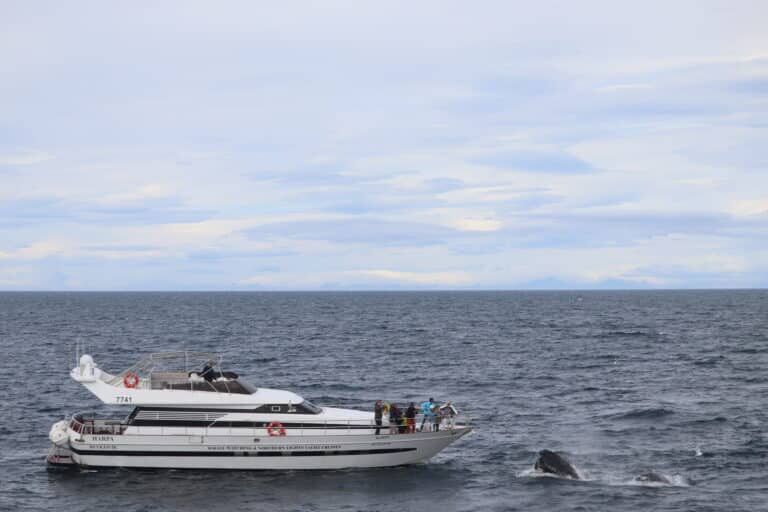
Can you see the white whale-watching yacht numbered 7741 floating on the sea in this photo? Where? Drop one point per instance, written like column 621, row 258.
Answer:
column 210, row 418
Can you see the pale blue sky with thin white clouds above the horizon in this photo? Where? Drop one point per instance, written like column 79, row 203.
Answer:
column 383, row 145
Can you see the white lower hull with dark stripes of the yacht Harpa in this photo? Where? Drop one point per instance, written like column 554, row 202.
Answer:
column 241, row 452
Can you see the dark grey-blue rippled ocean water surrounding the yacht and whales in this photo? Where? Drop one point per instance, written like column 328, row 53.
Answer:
column 621, row 382
